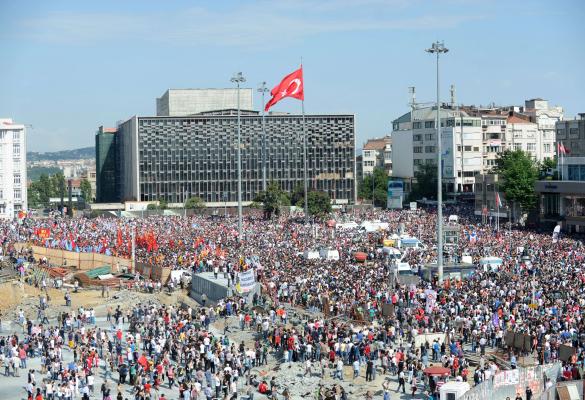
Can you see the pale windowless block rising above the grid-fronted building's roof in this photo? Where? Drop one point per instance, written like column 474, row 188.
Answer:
column 184, row 102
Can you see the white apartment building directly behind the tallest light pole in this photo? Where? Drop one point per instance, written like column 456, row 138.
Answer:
column 414, row 142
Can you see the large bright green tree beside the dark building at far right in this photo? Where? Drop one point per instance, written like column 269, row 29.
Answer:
column 518, row 172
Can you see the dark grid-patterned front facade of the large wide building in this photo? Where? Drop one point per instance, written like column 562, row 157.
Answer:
column 197, row 156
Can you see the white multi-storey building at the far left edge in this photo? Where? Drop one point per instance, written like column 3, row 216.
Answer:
column 13, row 193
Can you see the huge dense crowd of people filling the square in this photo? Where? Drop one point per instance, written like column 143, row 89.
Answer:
column 539, row 290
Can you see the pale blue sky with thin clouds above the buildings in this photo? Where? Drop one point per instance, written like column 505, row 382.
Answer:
column 68, row 67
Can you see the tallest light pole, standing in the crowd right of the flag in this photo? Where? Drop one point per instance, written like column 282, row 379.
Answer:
column 438, row 48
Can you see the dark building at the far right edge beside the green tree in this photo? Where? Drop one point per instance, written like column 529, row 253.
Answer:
column 564, row 199
